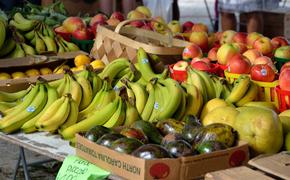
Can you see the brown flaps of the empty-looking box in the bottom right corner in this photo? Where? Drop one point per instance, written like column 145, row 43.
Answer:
column 265, row 167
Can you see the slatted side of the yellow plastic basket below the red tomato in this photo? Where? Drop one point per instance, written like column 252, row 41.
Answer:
column 267, row 91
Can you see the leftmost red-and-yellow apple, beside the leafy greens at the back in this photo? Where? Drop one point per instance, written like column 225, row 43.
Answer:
column 72, row 24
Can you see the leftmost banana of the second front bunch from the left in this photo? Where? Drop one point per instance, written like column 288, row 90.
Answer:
column 50, row 111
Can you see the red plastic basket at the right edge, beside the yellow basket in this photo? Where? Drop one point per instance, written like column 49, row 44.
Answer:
column 283, row 99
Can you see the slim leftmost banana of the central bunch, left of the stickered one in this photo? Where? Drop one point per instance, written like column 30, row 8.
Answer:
column 145, row 115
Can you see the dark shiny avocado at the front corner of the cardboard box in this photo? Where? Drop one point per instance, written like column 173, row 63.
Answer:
column 151, row 151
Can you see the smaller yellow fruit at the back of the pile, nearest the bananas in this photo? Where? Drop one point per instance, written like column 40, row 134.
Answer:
column 211, row 105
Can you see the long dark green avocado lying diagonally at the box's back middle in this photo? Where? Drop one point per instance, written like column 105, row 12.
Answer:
column 149, row 130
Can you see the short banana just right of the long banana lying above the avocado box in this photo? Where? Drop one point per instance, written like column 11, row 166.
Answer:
column 118, row 117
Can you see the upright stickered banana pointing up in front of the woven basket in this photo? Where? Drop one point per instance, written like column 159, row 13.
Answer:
column 145, row 67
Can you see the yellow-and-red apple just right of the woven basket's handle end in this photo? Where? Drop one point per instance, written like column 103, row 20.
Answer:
column 200, row 38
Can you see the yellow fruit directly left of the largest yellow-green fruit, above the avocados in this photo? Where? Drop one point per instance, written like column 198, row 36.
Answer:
column 224, row 114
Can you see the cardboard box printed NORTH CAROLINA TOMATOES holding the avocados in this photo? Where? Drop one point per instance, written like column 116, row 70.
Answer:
column 131, row 167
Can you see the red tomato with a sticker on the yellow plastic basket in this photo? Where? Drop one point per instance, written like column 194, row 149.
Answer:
column 262, row 72
